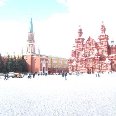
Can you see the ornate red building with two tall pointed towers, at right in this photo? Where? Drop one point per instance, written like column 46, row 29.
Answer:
column 89, row 56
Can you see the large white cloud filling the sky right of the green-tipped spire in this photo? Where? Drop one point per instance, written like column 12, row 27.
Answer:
column 57, row 34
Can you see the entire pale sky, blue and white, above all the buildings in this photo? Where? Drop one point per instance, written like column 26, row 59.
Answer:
column 55, row 23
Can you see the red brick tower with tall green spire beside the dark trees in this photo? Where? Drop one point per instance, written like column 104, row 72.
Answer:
column 36, row 62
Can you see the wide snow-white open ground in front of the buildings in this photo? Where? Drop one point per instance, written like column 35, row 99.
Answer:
column 84, row 95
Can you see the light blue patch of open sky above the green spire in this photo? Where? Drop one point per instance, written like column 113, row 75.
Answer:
column 41, row 9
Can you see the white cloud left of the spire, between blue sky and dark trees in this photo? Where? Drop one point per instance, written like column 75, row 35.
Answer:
column 13, row 36
